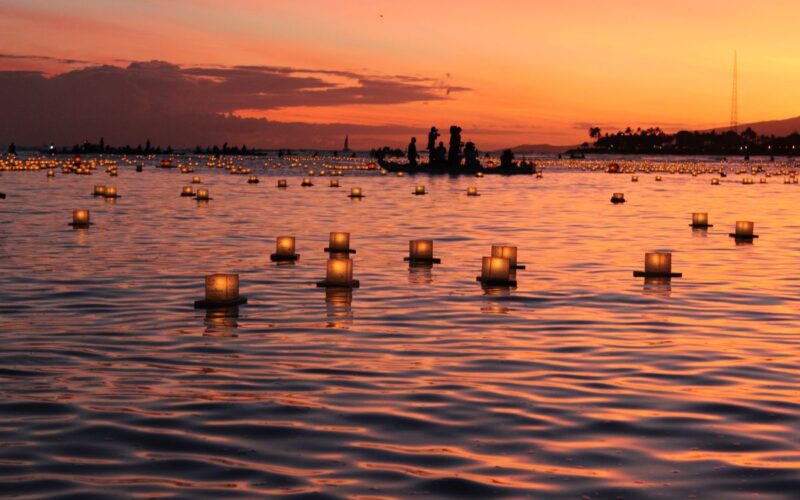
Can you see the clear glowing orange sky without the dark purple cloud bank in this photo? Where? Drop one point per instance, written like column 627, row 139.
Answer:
column 538, row 72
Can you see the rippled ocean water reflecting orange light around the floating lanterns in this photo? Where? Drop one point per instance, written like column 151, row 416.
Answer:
column 580, row 382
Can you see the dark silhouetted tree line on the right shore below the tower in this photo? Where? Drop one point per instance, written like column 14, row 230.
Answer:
column 655, row 141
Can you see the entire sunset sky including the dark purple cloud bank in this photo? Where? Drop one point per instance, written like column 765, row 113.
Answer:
column 508, row 72
